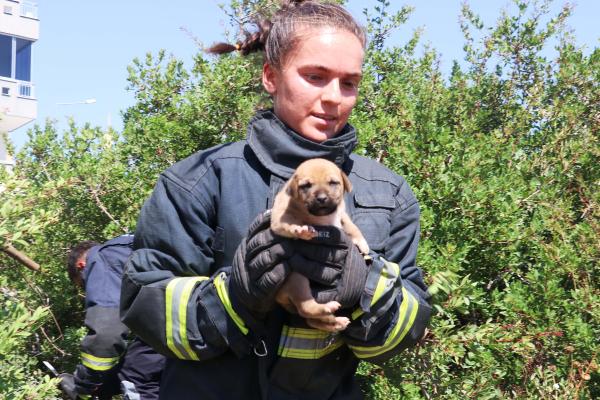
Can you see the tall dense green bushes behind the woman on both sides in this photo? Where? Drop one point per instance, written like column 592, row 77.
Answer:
column 503, row 156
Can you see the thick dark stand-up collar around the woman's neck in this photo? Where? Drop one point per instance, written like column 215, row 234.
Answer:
column 281, row 150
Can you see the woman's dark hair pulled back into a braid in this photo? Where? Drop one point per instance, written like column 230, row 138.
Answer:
column 278, row 35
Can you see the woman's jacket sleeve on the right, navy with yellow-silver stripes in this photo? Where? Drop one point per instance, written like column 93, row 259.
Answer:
column 394, row 309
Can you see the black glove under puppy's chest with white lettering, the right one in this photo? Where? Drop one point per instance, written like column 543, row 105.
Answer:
column 334, row 265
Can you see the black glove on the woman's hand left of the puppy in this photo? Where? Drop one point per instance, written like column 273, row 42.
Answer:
column 260, row 266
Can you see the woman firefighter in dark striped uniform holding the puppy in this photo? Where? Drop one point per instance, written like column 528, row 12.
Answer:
column 201, row 283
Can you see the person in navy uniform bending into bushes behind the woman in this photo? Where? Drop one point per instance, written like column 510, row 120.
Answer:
column 109, row 364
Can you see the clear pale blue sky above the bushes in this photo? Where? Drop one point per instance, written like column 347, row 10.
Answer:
column 85, row 46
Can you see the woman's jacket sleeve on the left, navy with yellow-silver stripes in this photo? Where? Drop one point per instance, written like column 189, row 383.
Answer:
column 168, row 297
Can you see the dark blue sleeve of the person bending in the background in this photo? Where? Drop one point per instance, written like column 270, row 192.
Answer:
column 106, row 339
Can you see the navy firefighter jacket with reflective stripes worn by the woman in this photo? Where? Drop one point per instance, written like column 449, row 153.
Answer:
column 175, row 297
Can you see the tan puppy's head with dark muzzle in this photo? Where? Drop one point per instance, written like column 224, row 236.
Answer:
column 319, row 186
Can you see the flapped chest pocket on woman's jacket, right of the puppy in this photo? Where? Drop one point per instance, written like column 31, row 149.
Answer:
column 372, row 216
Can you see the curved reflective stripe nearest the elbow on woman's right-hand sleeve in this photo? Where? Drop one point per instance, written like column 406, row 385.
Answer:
column 406, row 318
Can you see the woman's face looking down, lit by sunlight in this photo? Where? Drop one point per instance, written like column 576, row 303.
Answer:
column 316, row 88
